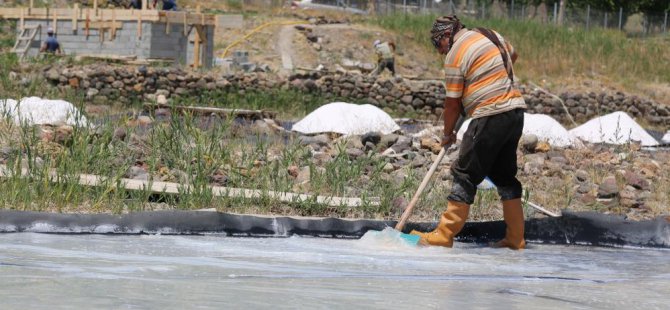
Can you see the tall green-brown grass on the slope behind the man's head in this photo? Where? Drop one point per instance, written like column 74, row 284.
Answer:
column 547, row 51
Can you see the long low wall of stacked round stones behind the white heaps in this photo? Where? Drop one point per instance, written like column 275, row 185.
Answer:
column 104, row 84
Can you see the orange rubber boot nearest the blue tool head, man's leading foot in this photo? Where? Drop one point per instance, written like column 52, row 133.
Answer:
column 451, row 223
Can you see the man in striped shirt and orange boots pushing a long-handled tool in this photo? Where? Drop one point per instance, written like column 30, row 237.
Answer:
column 479, row 83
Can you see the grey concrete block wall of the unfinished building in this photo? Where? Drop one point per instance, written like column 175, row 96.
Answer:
column 153, row 43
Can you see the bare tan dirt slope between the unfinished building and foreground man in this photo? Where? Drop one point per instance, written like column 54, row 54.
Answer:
column 336, row 42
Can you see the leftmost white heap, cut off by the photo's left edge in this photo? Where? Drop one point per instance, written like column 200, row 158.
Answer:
column 38, row 111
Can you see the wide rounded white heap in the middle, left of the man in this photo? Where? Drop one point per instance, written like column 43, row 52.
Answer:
column 347, row 119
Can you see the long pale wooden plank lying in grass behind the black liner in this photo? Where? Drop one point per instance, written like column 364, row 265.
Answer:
column 219, row 191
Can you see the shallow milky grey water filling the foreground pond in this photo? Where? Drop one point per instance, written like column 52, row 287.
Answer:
column 49, row 271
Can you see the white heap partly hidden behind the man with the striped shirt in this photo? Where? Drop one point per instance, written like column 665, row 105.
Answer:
column 544, row 127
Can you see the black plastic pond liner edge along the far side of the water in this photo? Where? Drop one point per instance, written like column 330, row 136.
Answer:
column 582, row 228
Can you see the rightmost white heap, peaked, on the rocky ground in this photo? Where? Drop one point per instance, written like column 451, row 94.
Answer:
column 613, row 128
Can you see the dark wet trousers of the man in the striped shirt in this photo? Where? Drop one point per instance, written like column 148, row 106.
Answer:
column 488, row 149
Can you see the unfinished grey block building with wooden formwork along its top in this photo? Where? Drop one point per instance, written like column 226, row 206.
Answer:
column 182, row 37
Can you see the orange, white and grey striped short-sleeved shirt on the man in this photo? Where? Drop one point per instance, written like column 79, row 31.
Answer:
column 475, row 72
